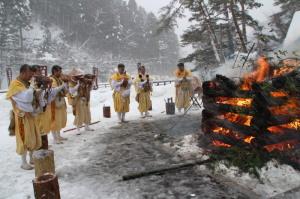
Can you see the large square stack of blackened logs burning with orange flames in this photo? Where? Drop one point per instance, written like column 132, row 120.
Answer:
column 261, row 111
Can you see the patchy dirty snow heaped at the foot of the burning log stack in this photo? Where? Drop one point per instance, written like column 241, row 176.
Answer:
column 275, row 178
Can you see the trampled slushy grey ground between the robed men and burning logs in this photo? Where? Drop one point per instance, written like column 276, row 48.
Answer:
column 100, row 163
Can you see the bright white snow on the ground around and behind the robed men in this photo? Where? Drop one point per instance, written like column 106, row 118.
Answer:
column 16, row 183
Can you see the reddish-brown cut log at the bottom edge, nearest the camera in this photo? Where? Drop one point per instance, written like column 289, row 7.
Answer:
column 46, row 187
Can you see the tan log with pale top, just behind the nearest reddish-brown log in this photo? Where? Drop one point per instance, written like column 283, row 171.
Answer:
column 43, row 162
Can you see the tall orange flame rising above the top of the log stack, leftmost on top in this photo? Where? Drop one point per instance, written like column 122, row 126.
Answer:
column 258, row 75
